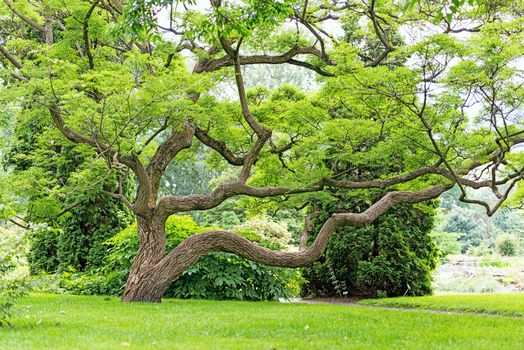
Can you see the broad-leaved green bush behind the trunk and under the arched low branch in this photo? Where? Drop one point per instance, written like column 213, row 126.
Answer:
column 214, row 276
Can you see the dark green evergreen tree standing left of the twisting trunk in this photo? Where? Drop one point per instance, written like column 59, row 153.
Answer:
column 69, row 224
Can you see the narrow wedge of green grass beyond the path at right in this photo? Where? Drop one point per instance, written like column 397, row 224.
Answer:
column 509, row 304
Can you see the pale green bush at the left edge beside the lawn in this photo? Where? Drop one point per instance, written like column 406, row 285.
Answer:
column 13, row 284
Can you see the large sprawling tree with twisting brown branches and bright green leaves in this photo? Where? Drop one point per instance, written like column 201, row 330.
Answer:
column 127, row 95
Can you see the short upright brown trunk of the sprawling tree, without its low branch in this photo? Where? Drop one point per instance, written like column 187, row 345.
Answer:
column 142, row 282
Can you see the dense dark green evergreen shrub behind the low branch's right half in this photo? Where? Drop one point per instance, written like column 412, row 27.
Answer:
column 394, row 256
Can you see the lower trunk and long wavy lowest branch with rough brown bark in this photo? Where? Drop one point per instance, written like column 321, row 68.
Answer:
column 152, row 274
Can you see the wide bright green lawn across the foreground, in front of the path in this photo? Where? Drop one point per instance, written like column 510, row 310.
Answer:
column 80, row 322
